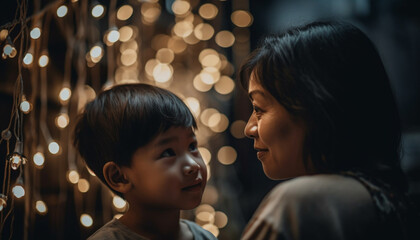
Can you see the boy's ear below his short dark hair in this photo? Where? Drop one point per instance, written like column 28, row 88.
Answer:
column 115, row 177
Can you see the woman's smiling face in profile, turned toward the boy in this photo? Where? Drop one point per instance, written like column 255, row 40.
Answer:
column 278, row 137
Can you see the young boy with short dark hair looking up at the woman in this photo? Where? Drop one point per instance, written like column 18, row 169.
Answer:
column 139, row 140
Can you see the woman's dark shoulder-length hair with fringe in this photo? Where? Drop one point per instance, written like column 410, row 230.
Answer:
column 330, row 75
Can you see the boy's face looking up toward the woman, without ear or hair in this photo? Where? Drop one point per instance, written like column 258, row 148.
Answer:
column 167, row 173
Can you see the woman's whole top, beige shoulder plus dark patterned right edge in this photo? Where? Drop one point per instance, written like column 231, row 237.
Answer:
column 346, row 206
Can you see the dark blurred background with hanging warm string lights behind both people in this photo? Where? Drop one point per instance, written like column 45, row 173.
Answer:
column 57, row 55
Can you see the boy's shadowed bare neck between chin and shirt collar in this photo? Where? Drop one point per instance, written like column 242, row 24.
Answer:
column 154, row 223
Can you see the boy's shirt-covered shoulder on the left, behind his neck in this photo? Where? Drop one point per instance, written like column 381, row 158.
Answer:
column 115, row 230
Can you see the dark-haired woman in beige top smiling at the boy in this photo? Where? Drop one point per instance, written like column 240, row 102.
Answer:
column 325, row 118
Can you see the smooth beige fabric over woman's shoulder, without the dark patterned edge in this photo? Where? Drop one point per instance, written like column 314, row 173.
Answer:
column 314, row 207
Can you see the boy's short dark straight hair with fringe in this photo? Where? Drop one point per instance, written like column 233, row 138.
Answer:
column 124, row 118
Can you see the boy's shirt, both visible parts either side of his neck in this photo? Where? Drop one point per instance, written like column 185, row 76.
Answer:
column 115, row 230
